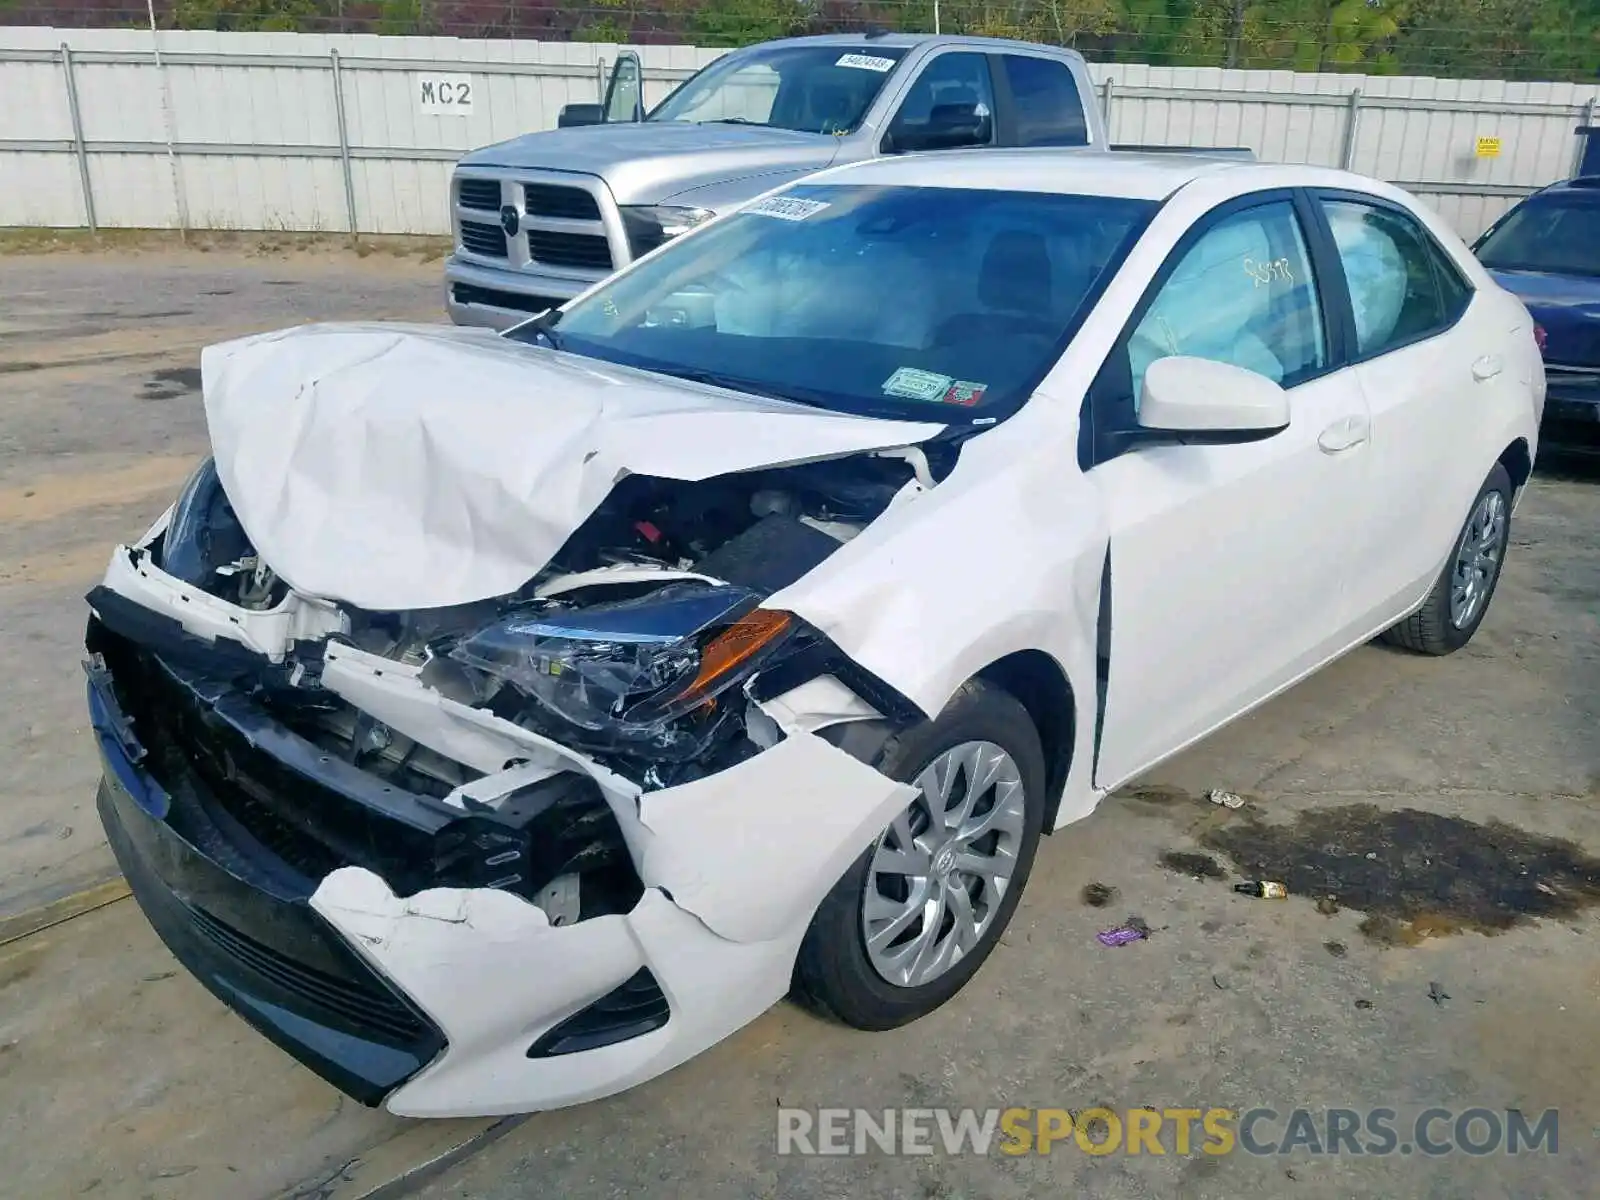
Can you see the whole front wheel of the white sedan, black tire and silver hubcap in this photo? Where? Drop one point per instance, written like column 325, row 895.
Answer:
column 922, row 908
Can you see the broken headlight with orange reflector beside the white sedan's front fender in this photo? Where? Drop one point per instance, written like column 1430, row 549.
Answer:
column 636, row 676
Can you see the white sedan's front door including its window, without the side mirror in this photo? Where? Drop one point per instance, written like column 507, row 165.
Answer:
column 1228, row 562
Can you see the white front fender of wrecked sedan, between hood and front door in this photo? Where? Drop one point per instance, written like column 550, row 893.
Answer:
column 1004, row 556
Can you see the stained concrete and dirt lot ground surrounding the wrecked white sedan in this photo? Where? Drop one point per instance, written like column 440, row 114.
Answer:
column 1431, row 798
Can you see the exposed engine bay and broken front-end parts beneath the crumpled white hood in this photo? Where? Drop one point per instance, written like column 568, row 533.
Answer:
column 641, row 646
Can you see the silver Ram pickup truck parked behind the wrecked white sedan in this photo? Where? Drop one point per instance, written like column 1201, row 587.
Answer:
column 540, row 218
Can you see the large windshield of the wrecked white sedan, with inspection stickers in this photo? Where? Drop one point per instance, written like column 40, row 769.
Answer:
column 919, row 303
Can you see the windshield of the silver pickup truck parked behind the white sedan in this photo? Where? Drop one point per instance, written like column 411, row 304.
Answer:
column 806, row 89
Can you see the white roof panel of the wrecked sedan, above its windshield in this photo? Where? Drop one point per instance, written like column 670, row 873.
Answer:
column 1065, row 170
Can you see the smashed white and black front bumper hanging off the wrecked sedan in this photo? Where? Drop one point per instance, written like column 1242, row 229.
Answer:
column 270, row 866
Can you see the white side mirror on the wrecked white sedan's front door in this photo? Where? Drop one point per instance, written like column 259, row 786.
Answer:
column 1214, row 402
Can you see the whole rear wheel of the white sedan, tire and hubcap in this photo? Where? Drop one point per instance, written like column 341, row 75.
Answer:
column 1462, row 596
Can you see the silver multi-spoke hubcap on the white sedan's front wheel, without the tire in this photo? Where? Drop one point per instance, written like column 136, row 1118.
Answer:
column 943, row 866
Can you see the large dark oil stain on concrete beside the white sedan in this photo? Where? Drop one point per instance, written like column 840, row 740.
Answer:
column 1415, row 874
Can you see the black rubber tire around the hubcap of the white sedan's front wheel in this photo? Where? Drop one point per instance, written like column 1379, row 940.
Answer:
column 833, row 972
